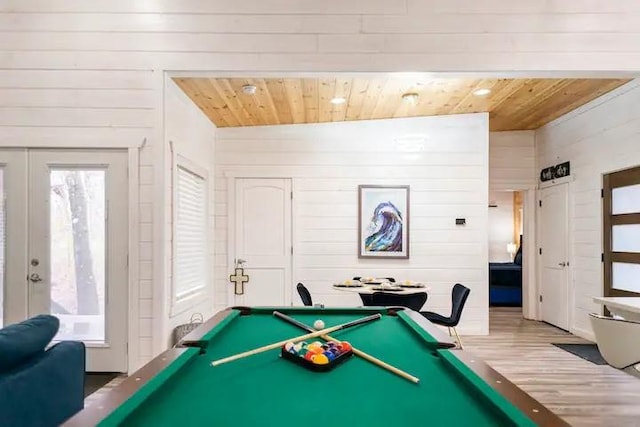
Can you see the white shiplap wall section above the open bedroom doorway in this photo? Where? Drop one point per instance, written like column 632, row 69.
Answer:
column 512, row 158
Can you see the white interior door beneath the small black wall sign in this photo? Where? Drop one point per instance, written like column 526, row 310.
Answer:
column 554, row 267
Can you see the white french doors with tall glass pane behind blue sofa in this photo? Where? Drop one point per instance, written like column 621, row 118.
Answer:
column 66, row 225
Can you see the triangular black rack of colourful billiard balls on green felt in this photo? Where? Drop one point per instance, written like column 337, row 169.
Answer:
column 317, row 356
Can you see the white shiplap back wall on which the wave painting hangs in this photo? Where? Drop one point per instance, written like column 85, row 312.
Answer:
column 328, row 161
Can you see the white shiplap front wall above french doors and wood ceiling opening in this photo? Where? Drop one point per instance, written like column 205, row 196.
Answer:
column 85, row 72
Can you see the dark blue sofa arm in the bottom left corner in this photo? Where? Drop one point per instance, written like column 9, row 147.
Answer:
column 46, row 389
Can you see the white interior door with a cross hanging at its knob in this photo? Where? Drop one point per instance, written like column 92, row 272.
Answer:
column 262, row 234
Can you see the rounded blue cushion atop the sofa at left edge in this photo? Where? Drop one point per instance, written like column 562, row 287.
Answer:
column 21, row 341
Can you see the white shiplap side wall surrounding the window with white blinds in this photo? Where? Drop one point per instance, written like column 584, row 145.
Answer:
column 189, row 134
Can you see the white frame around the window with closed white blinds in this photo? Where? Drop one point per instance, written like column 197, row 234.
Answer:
column 183, row 302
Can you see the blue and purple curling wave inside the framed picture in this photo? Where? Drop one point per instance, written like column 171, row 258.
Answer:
column 384, row 233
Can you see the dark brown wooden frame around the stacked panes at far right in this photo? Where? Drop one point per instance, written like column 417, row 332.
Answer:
column 611, row 181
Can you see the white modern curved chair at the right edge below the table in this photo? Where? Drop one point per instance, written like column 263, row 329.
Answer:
column 618, row 340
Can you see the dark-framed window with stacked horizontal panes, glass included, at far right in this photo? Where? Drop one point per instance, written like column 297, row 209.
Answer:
column 621, row 217
